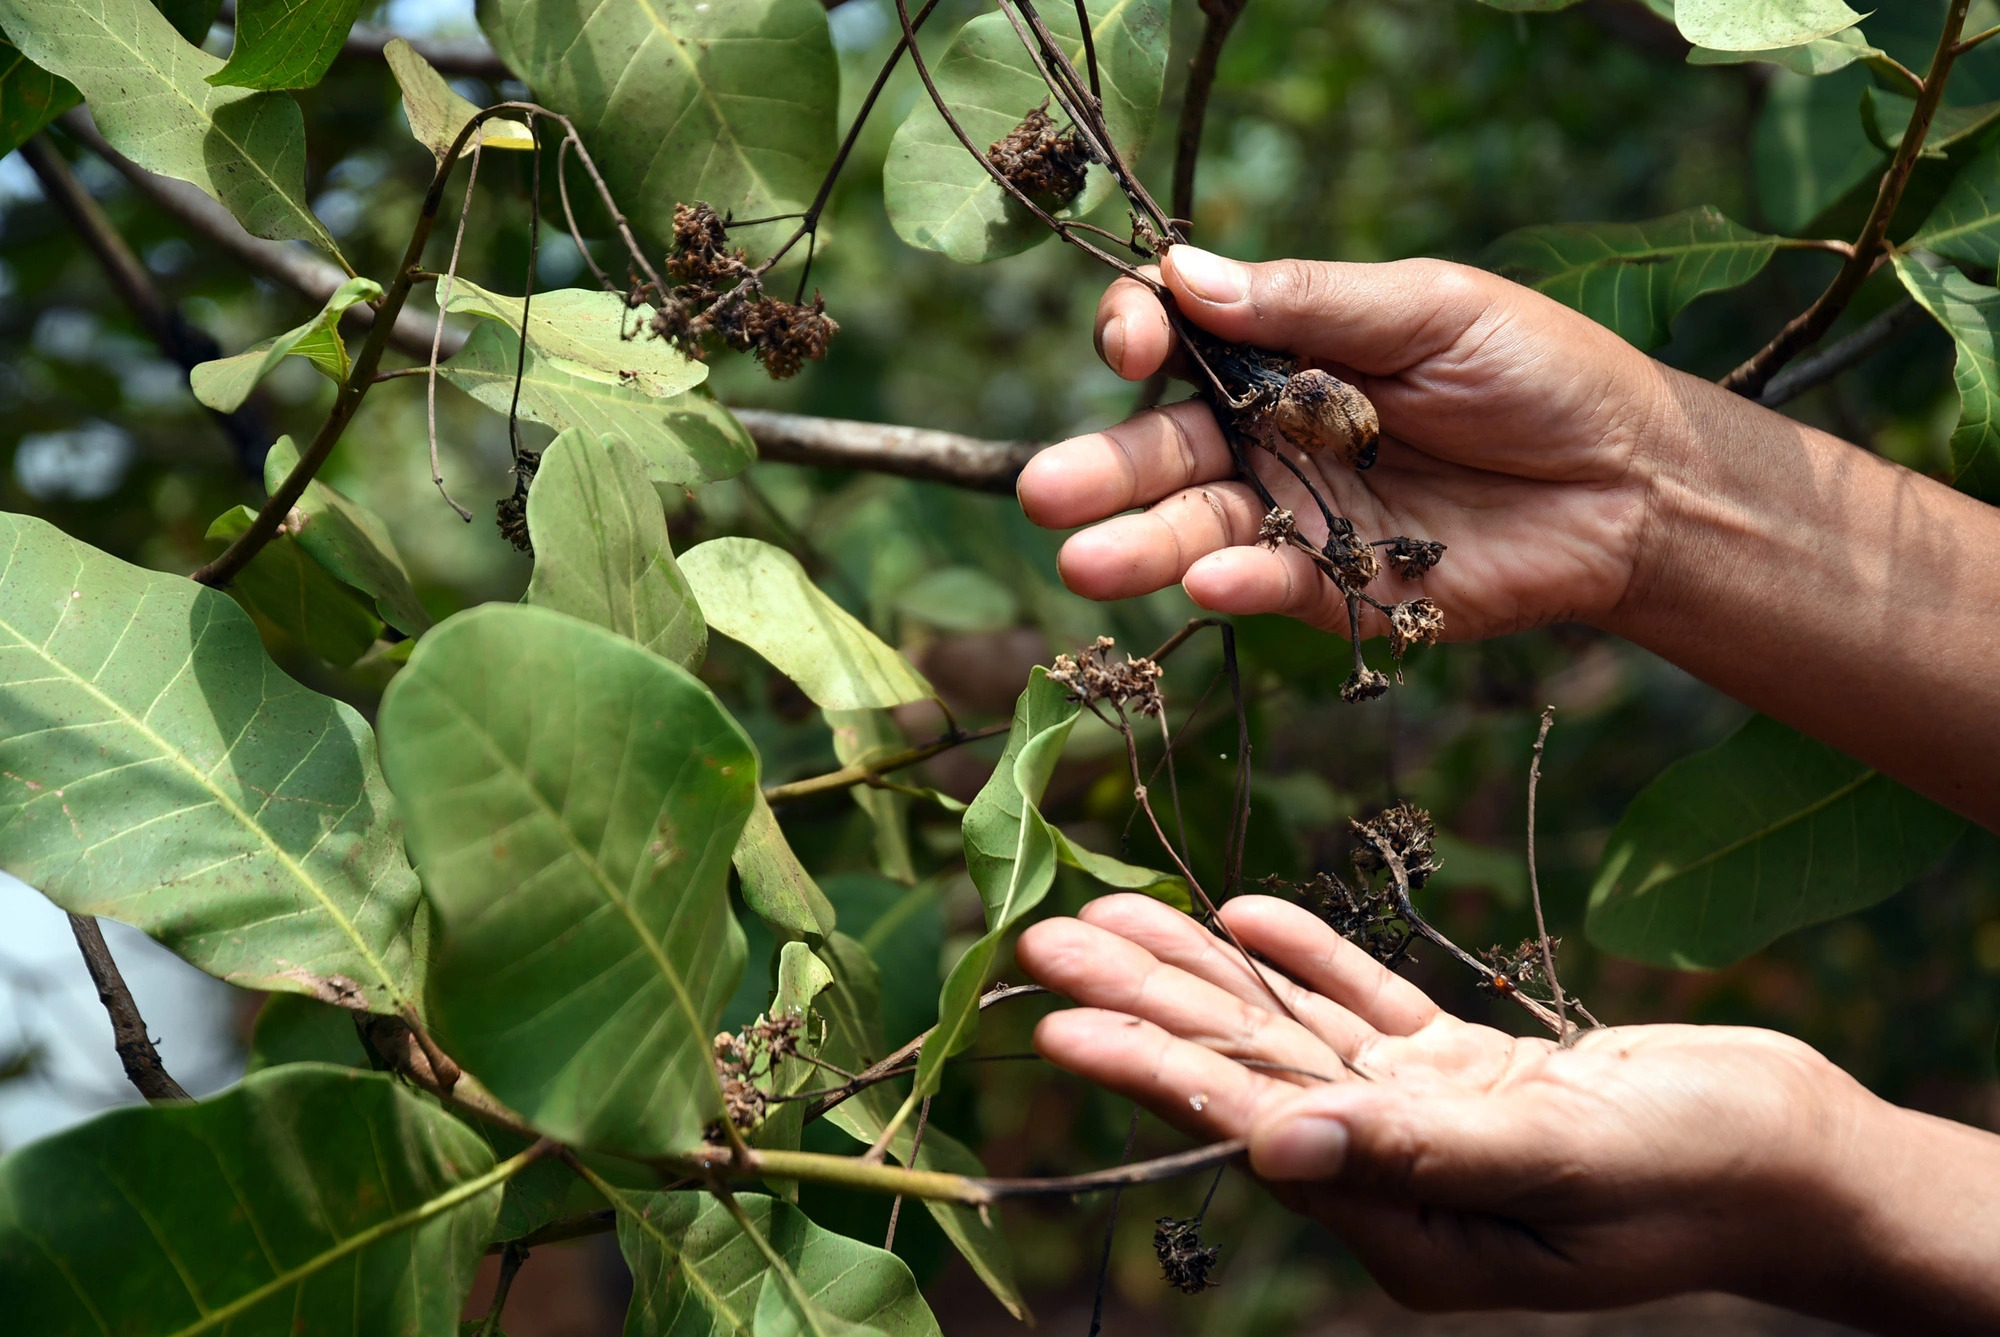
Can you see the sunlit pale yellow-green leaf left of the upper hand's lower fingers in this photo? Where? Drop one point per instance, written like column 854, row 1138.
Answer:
column 759, row 595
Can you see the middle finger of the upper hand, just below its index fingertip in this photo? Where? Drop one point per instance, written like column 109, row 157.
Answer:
column 1137, row 463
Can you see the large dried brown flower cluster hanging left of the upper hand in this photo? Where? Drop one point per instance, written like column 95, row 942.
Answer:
column 721, row 295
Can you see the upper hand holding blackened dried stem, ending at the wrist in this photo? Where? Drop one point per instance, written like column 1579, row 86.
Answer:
column 1513, row 429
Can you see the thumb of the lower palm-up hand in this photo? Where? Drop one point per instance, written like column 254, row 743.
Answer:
column 1475, row 1152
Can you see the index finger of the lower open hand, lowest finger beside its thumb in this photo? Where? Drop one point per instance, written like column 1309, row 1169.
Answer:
column 1193, row 1088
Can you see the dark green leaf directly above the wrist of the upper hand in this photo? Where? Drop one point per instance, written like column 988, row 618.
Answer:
column 1635, row 277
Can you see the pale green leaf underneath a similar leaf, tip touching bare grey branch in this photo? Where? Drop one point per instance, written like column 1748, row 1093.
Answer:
column 681, row 439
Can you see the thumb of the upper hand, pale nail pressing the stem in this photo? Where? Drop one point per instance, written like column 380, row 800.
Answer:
column 1379, row 319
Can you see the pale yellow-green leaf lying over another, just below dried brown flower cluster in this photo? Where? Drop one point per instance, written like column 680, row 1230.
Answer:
column 589, row 333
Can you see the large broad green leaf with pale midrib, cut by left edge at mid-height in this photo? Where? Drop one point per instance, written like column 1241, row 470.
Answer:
column 157, row 770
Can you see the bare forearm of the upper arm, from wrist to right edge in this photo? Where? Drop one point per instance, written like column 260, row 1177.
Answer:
column 1827, row 587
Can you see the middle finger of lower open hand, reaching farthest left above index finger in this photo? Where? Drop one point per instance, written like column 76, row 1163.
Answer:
column 1105, row 970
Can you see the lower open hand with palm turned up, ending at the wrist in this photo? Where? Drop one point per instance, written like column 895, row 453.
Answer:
column 1469, row 1168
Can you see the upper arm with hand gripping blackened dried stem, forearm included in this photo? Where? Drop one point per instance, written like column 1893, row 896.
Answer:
column 1575, row 479
